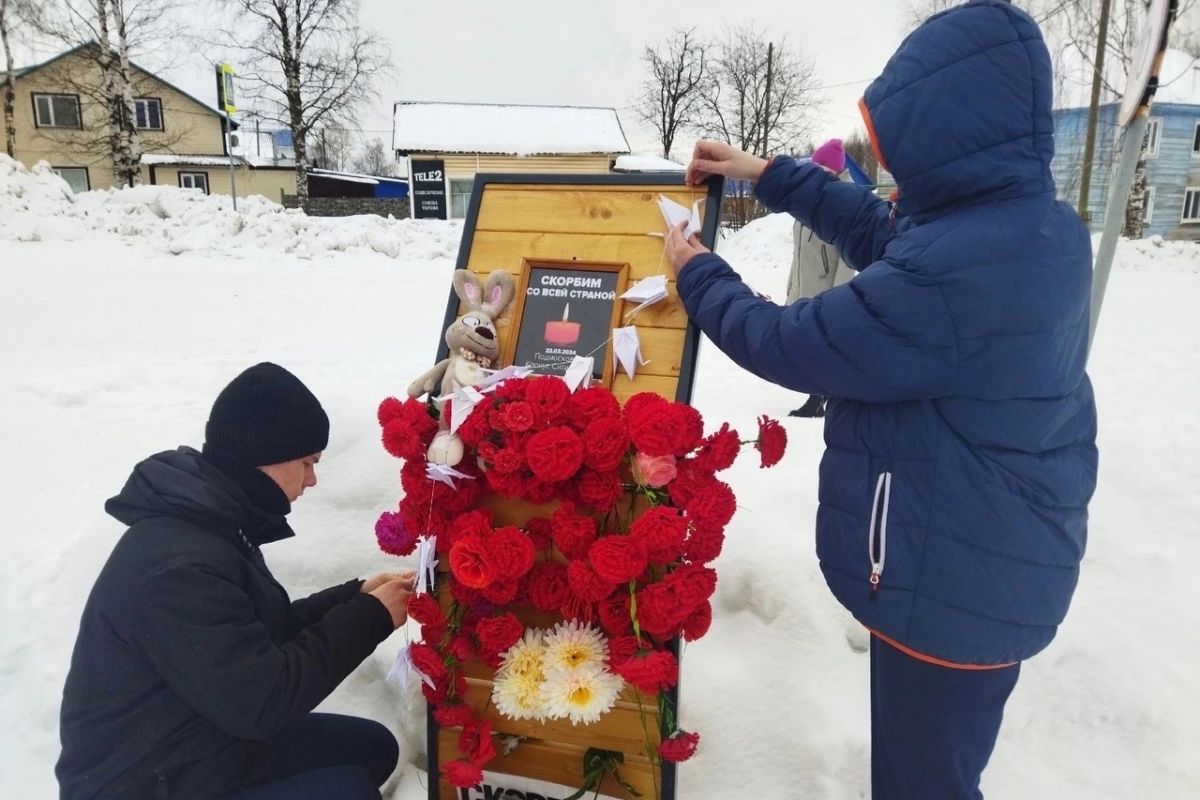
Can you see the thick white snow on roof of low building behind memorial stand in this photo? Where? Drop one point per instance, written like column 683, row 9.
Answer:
column 518, row 130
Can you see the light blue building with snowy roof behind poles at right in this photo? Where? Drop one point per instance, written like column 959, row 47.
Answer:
column 1173, row 165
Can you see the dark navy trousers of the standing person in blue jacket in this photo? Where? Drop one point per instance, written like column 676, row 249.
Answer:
column 933, row 729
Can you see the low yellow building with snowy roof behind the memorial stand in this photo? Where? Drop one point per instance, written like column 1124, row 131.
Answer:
column 472, row 139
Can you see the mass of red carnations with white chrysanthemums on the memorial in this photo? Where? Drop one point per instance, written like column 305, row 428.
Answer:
column 633, row 516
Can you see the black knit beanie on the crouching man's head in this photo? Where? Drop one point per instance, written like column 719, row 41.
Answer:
column 266, row 417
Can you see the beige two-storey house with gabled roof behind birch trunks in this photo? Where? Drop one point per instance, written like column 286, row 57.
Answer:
column 61, row 121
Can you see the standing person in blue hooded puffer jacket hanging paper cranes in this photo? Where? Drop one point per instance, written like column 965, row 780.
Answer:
column 961, row 437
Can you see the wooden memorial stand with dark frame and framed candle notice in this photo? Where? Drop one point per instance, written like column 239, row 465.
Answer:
column 578, row 242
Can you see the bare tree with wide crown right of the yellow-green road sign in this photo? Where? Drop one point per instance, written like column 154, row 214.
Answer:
column 308, row 64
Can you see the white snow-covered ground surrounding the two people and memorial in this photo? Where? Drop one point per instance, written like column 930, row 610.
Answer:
column 123, row 315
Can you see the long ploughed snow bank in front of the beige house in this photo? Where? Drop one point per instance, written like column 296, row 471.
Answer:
column 38, row 206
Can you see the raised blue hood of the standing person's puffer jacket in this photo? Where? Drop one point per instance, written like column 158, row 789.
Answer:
column 962, row 113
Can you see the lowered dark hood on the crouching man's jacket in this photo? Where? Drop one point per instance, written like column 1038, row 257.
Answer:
column 181, row 484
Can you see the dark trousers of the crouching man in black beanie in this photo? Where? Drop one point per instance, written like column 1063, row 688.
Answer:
column 321, row 757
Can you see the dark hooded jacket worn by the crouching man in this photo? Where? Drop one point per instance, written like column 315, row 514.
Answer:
column 190, row 652
